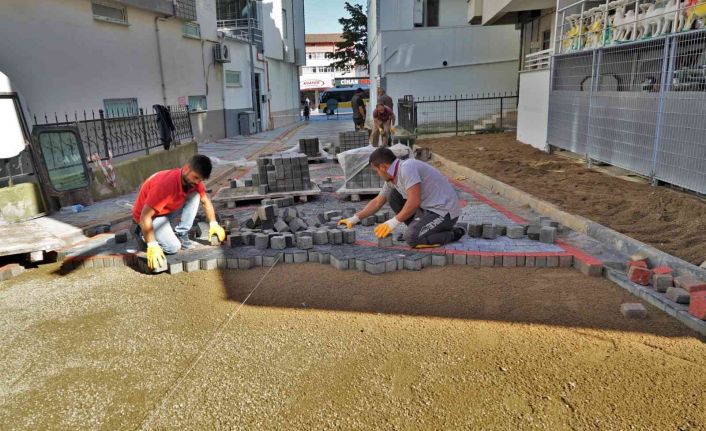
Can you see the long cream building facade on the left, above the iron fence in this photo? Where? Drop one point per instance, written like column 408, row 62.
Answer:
column 67, row 56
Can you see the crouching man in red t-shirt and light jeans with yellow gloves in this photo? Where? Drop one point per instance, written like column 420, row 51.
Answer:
column 166, row 195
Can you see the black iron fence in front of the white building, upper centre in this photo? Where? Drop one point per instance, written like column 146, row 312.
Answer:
column 479, row 113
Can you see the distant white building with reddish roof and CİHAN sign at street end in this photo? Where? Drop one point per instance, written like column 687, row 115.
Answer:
column 318, row 74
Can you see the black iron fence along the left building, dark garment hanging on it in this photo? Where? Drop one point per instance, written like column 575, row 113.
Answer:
column 120, row 132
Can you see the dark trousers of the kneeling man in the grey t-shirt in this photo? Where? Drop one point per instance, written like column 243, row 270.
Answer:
column 425, row 227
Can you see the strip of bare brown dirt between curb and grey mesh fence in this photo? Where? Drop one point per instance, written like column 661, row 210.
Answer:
column 669, row 220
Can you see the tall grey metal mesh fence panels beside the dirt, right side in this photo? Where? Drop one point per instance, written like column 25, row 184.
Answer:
column 639, row 106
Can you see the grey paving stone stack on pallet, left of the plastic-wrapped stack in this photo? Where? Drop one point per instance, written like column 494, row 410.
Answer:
column 280, row 172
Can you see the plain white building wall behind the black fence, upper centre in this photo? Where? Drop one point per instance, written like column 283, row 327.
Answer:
column 427, row 48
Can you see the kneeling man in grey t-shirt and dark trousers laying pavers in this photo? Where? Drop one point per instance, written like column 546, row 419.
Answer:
column 420, row 196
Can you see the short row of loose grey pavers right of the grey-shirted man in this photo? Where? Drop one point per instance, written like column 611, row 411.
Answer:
column 542, row 229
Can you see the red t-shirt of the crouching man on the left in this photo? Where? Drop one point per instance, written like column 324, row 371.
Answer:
column 163, row 192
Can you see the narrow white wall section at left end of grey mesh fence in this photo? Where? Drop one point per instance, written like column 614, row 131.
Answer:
column 533, row 108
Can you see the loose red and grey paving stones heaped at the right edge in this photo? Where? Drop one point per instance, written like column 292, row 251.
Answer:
column 684, row 289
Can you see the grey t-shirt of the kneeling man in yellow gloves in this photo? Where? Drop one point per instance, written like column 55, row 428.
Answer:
column 438, row 195
